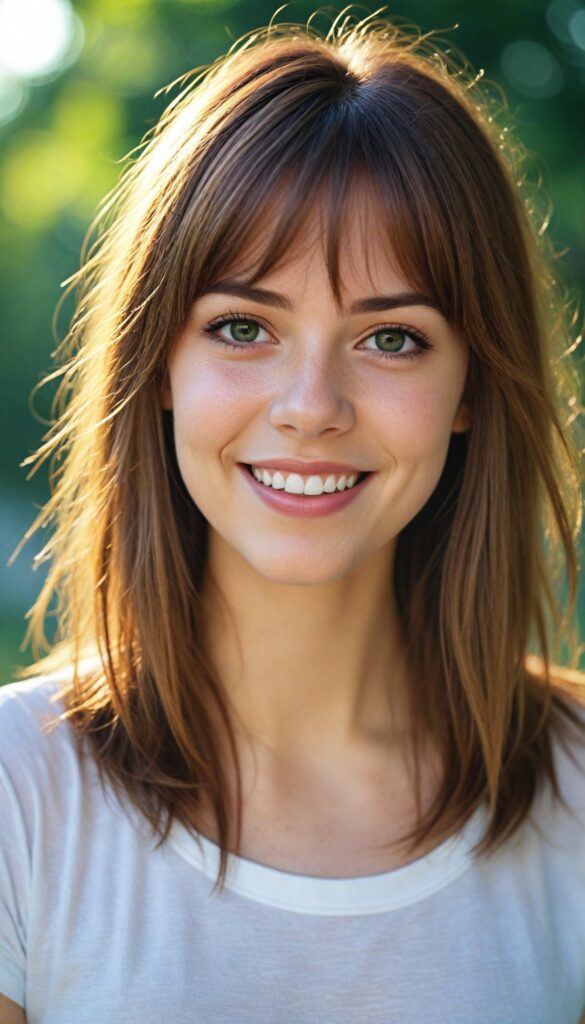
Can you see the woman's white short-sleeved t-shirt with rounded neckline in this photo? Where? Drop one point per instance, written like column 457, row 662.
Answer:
column 99, row 928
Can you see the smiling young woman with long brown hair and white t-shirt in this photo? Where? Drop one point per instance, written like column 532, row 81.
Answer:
column 290, row 759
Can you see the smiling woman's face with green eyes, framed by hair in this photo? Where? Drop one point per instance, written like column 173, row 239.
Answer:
column 311, row 381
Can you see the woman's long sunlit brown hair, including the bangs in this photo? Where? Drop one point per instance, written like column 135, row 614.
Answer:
column 291, row 121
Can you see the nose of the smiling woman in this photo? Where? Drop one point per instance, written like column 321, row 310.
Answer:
column 313, row 398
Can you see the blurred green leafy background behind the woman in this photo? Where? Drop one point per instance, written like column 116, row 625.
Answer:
column 77, row 94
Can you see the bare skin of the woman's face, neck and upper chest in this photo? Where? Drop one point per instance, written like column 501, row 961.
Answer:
column 301, row 616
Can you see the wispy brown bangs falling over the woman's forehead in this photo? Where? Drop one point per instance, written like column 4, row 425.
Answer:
column 304, row 174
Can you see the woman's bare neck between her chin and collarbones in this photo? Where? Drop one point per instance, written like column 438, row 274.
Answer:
column 308, row 671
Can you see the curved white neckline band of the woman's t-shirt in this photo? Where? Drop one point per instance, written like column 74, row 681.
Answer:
column 336, row 898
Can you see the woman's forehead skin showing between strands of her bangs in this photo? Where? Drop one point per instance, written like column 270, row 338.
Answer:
column 361, row 240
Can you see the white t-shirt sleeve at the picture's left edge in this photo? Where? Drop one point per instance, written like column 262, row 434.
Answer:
column 15, row 861
